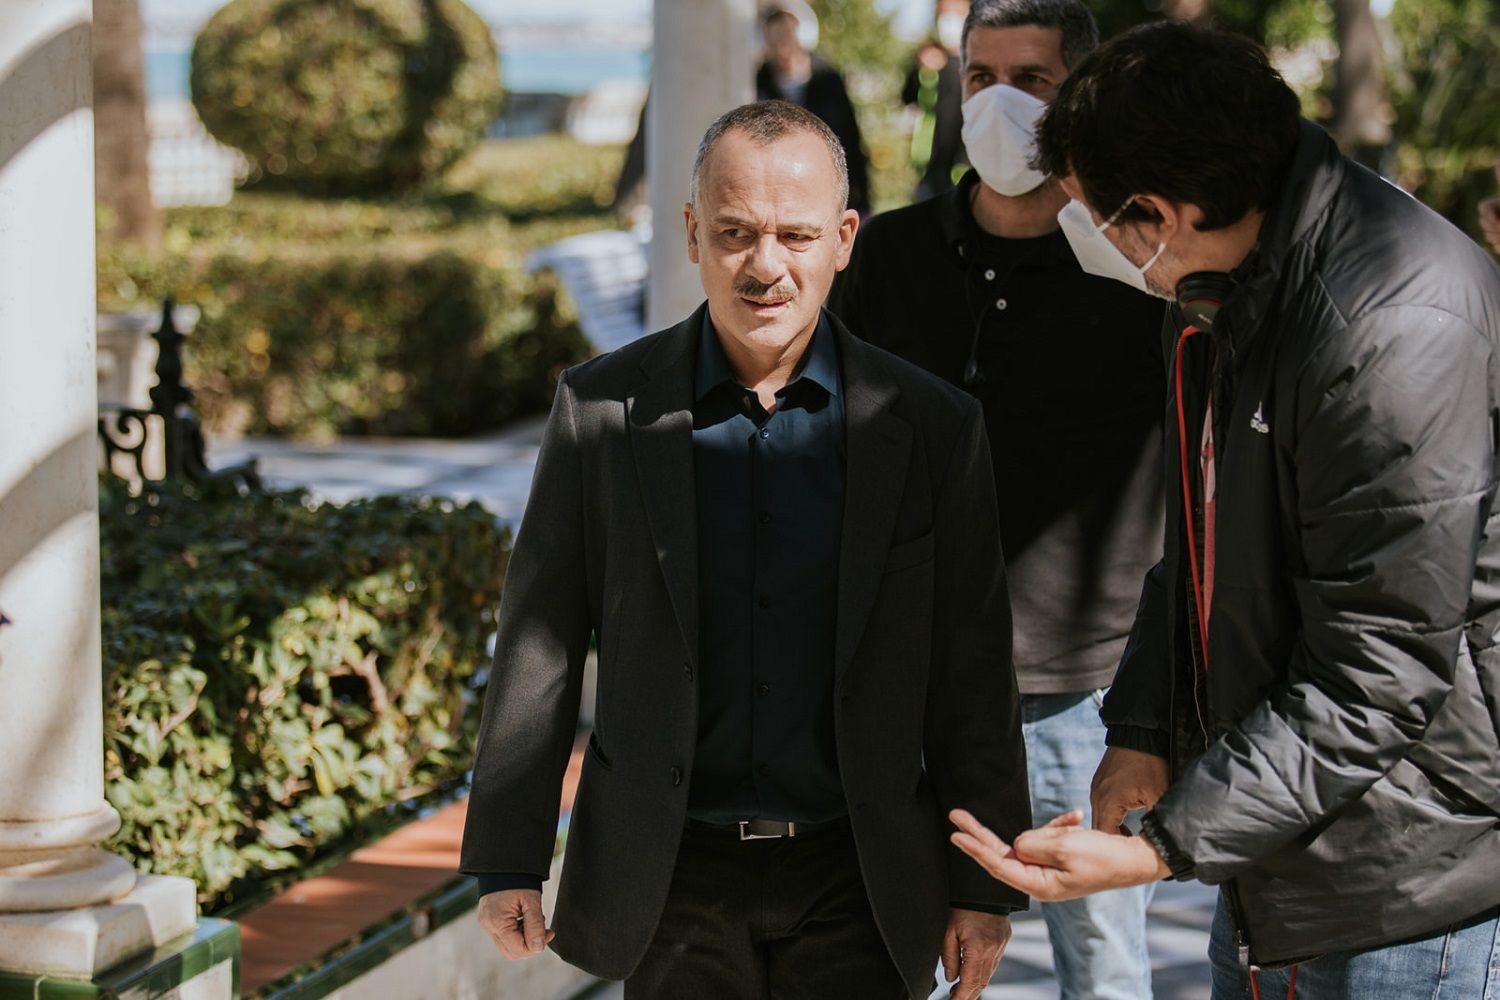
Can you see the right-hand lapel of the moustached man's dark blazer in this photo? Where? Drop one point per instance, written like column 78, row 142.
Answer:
column 878, row 446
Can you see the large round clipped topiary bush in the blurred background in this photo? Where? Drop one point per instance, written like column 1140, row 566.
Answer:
column 352, row 97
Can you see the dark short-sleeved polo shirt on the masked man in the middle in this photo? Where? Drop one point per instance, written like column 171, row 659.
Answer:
column 1073, row 388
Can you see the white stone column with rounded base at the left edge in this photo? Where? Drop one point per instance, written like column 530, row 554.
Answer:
column 53, row 813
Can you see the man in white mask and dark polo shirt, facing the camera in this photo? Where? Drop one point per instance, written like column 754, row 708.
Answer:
column 979, row 286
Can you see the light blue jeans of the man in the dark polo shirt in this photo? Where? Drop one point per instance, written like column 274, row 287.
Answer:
column 1099, row 944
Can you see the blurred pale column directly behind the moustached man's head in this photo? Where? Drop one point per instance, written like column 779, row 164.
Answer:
column 701, row 67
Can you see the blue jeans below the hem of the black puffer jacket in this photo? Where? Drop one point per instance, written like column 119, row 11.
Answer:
column 1456, row 963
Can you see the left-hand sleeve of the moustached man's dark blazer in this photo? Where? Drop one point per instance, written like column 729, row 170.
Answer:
column 532, row 701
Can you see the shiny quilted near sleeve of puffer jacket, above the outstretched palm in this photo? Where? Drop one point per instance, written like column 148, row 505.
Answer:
column 1394, row 461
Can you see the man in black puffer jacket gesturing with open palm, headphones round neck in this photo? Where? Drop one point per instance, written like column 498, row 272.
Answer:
column 1312, row 698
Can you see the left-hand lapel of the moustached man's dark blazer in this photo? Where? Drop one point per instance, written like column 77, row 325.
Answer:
column 661, row 415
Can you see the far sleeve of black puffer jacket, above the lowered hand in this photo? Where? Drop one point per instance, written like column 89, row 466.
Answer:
column 1138, row 708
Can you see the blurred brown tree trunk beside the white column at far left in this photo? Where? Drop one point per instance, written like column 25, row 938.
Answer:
column 122, row 181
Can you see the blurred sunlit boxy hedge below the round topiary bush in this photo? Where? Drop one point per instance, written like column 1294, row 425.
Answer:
column 394, row 317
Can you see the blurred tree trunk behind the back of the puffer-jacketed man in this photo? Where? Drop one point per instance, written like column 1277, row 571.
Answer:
column 1361, row 118
